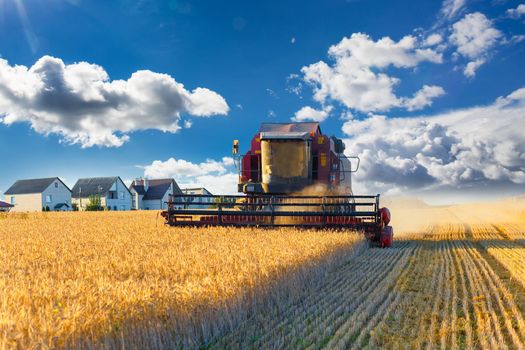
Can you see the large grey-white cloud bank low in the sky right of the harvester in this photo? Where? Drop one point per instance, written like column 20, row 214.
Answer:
column 479, row 147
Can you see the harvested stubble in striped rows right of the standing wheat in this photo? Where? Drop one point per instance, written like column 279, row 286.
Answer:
column 452, row 285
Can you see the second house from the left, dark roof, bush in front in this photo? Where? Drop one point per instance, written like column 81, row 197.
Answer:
column 113, row 193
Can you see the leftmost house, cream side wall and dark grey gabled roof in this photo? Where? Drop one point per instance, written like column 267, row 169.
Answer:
column 49, row 194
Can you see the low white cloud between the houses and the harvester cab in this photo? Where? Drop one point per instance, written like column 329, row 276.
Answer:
column 216, row 176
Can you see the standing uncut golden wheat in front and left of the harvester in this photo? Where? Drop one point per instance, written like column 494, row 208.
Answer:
column 123, row 279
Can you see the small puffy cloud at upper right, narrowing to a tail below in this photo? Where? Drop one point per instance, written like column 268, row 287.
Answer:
column 474, row 35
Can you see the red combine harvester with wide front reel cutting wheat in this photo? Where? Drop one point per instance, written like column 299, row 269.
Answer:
column 293, row 175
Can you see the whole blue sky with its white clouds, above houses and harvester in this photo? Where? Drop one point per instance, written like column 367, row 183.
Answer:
column 256, row 62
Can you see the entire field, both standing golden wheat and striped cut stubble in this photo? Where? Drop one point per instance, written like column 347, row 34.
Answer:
column 455, row 278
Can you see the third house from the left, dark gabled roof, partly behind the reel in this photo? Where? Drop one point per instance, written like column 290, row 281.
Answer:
column 152, row 194
